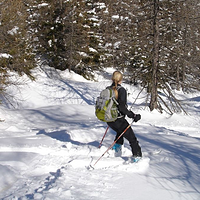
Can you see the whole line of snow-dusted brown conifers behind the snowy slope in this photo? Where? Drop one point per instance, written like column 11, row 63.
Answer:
column 156, row 43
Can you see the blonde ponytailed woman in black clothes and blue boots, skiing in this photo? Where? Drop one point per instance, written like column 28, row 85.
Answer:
column 121, row 123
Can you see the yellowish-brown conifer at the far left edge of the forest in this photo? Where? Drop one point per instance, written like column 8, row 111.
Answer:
column 14, row 41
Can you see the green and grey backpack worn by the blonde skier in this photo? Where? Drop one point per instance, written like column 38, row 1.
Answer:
column 106, row 108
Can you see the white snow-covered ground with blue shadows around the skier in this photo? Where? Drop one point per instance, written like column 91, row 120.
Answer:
column 49, row 144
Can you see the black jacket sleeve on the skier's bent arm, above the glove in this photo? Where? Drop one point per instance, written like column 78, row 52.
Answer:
column 122, row 100
